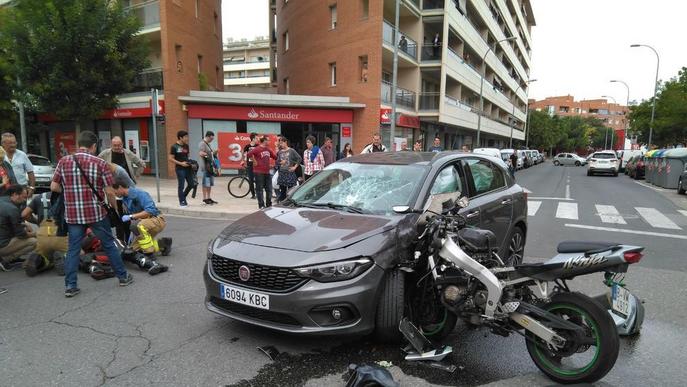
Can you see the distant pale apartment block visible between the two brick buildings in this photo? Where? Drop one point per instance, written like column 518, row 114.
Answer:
column 247, row 66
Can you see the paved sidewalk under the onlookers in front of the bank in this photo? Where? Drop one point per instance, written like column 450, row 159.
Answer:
column 169, row 202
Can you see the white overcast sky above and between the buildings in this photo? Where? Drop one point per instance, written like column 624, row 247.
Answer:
column 577, row 46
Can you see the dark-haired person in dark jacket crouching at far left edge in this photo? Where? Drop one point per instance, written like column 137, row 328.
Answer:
column 16, row 238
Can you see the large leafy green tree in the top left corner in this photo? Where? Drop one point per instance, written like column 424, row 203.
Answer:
column 74, row 57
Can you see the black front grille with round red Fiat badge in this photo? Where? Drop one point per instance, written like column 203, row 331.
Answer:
column 269, row 278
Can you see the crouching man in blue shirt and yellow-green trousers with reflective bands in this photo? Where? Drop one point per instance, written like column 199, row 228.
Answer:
column 146, row 223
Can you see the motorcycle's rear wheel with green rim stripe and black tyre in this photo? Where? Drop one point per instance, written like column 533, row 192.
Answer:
column 574, row 363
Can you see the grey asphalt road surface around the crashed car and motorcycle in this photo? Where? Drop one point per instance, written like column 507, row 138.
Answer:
column 157, row 331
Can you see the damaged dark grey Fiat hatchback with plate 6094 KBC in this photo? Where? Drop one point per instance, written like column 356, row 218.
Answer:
column 320, row 261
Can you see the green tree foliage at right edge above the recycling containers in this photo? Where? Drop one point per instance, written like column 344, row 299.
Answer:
column 670, row 123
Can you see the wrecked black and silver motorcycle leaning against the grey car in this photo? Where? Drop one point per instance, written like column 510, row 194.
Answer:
column 456, row 273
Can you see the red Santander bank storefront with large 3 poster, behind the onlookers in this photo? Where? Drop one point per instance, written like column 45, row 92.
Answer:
column 233, row 116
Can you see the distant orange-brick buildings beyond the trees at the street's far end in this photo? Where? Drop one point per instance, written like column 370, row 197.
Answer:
column 613, row 115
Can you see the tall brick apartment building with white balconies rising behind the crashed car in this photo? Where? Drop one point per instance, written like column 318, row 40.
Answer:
column 346, row 48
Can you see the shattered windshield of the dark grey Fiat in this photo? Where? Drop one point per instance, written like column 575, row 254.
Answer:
column 364, row 188
